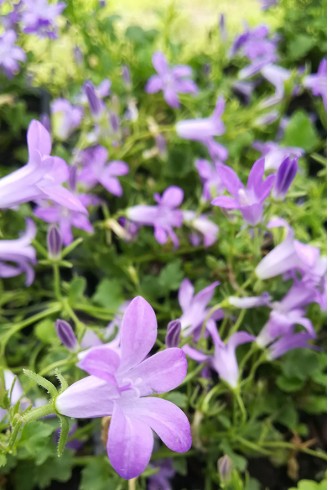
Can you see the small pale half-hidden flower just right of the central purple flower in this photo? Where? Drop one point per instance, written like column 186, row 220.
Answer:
column 205, row 228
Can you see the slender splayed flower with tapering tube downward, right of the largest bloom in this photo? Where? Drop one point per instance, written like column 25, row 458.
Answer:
column 224, row 360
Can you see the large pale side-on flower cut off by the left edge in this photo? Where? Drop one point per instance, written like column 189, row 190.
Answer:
column 40, row 177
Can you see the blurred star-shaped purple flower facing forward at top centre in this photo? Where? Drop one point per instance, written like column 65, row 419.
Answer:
column 171, row 80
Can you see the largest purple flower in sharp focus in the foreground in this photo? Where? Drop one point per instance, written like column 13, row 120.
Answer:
column 120, row 385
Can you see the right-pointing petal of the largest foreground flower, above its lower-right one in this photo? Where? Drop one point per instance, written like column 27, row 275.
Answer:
column 161, row 372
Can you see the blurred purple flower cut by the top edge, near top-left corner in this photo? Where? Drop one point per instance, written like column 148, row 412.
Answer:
column 39, row 17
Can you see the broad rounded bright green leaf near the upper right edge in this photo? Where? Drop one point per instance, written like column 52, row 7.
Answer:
column 301, row 132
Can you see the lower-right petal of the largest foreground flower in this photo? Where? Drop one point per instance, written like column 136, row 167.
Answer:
column 167, row 420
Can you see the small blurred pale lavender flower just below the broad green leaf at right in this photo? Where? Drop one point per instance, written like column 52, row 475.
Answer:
column 274, row 154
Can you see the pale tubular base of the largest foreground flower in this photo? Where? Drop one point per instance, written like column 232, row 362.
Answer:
column 88, row 398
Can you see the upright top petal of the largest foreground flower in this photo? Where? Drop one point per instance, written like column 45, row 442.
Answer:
column 138, row 332
